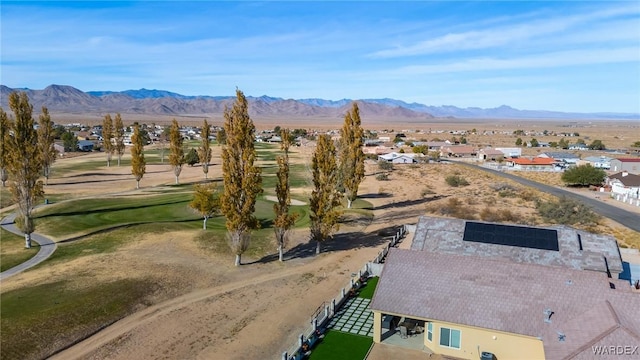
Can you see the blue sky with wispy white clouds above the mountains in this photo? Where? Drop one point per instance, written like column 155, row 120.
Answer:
column 568, row 56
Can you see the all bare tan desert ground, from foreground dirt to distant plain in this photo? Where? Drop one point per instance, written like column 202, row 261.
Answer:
column 206, row 308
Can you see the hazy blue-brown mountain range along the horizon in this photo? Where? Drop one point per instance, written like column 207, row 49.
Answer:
column 67, row 99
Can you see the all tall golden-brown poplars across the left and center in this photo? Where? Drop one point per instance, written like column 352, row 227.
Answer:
column 27, row 154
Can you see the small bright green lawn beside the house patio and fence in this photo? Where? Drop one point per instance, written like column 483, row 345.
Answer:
column 337, row 345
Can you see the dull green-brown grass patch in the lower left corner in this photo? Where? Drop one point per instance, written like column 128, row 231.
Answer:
column 36, row 320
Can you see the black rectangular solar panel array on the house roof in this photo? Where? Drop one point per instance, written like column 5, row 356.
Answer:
column 533, row 238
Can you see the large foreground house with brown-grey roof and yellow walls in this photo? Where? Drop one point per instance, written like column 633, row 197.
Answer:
column 490, row 291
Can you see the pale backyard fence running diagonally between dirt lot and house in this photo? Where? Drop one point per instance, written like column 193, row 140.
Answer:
column 326, row 311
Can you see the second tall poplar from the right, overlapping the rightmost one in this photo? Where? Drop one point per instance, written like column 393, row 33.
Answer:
column 325, row 197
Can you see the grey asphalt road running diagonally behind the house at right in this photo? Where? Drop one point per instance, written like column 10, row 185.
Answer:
column 624, row 217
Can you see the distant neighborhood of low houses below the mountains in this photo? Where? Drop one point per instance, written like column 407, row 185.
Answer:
column 622, row 164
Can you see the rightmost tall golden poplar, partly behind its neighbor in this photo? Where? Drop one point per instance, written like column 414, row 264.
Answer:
column 351, row 155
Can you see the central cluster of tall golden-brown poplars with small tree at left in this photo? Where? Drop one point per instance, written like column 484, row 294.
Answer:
column 242, row 180
